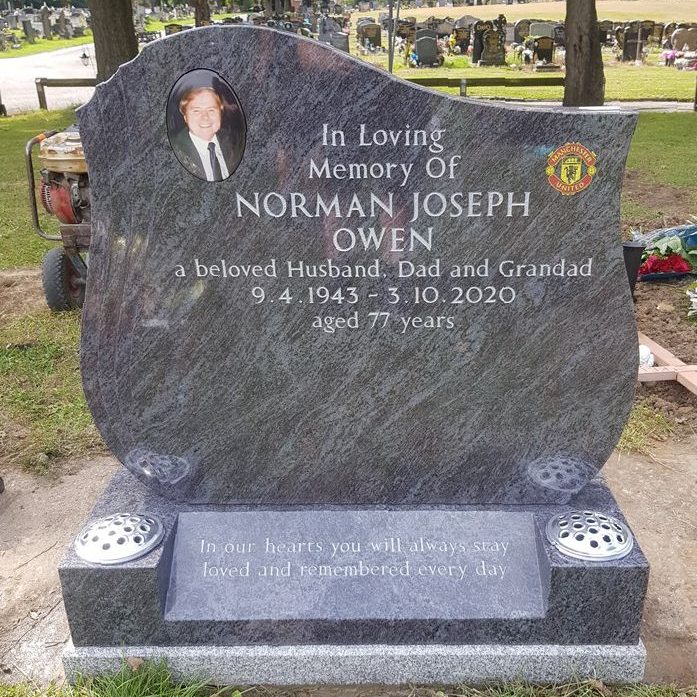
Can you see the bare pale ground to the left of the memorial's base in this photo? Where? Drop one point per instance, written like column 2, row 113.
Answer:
column 39, row 516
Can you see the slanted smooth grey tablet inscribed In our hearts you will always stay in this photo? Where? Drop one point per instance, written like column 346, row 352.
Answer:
column 354, row 565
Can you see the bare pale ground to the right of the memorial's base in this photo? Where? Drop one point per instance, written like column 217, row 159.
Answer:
column 658, row 495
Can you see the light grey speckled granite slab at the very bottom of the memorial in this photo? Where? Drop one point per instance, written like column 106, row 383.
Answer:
column 376, row 664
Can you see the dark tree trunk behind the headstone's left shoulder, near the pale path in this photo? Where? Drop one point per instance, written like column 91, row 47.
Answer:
column 114, row 36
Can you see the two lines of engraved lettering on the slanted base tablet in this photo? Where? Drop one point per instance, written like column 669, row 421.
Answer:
column 416, row 558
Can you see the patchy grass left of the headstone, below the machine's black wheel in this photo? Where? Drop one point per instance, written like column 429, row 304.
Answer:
column 41, row 390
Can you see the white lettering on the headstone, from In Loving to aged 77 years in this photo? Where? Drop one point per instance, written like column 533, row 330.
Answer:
column 407, row 301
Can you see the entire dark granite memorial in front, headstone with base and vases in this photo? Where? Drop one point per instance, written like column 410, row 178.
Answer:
column 357, row 376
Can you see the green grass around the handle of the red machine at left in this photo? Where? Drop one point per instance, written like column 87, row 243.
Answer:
column 19, row 244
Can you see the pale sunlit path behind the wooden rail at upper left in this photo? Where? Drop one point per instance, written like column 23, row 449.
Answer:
column 17, row 78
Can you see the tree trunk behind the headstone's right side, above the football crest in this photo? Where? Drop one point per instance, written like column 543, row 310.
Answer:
column 585, row 80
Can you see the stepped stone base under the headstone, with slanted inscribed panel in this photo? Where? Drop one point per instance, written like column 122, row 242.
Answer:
column 337, row 594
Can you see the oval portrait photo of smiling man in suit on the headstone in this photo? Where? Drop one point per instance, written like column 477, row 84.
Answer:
column 207, row 131
